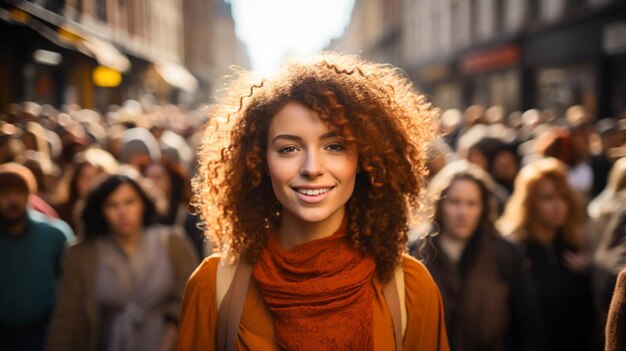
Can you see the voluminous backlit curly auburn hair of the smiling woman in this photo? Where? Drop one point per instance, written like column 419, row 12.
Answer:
column 368, row 105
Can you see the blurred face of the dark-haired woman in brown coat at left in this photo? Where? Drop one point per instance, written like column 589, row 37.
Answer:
column 123, row 210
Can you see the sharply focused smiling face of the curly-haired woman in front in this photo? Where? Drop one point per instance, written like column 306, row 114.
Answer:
column 312, row 171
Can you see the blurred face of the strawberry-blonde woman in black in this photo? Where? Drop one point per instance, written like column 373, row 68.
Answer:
column 550, row 209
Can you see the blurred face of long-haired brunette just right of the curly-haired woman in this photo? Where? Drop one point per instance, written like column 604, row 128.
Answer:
column 461, row 209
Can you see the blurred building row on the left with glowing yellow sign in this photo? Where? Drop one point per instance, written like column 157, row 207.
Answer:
column 95, row 53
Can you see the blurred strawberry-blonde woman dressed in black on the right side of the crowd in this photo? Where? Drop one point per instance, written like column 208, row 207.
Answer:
column 545, row 217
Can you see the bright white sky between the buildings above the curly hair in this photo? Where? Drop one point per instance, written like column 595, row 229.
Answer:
column 272, row 29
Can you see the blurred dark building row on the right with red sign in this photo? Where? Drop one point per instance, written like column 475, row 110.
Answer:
column 519, row 54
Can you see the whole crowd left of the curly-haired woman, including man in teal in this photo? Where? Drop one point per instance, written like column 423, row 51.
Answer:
column 104, row 199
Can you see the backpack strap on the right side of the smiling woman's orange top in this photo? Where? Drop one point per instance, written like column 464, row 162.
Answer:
column 393, row 290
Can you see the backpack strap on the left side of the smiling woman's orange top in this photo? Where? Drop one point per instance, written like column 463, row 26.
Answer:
column 230, row 307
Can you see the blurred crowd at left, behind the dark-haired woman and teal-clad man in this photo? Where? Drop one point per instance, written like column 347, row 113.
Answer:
column 69, row 151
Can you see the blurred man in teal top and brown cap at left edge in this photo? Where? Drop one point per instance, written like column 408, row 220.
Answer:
column 30, row 252
